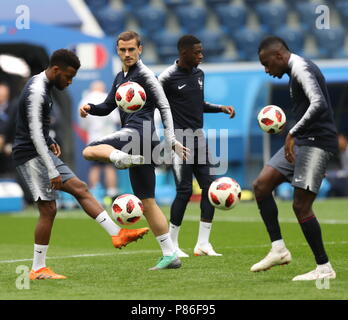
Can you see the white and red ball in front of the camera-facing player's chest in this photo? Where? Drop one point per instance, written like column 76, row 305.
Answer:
column 130, row 97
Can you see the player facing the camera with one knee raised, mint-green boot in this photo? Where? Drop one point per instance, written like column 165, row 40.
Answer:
column 135, row 132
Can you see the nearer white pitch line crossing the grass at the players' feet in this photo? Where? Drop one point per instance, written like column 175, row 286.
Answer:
column 156, row 251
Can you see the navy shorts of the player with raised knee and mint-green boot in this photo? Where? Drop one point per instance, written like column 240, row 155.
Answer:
column 142, row 177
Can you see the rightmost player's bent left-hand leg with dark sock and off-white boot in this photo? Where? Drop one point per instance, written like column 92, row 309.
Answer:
column 264, row 185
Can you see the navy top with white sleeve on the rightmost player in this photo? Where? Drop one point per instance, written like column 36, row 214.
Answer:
column 315, row 124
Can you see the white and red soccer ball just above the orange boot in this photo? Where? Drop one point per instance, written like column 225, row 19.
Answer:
column 127, row 209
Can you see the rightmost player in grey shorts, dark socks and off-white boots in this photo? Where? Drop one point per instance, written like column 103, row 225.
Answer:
column 303, row 160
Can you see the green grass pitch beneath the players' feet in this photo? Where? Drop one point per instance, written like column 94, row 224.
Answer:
column 81, row 250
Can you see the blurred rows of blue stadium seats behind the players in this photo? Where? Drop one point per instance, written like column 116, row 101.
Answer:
column 232, row 17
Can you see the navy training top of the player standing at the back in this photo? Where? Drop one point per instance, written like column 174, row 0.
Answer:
column 185, row 93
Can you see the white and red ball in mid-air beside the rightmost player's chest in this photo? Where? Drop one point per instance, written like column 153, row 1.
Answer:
column 271, row 119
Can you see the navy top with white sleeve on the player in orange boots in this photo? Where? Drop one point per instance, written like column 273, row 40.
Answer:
column 33, row 123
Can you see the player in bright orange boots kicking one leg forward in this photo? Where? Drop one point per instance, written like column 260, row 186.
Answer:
column 35, row 155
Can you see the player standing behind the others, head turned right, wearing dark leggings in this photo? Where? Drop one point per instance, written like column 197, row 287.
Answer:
column 183, row 83
